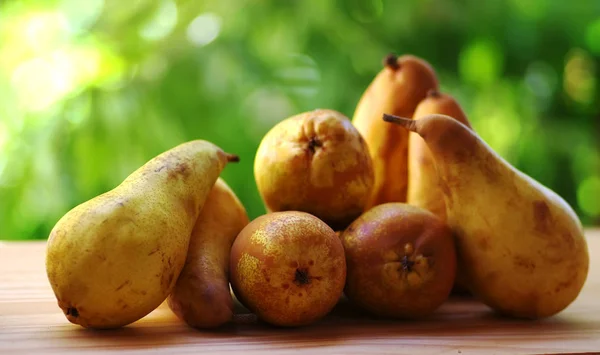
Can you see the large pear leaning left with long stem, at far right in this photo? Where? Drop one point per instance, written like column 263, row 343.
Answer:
column 520, row 246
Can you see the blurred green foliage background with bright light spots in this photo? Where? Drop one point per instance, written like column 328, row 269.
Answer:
column 90, row 90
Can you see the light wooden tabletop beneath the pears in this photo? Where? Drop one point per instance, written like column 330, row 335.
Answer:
column 31, row 322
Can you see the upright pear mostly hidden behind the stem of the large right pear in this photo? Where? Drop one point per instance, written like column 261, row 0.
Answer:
column 423, row 184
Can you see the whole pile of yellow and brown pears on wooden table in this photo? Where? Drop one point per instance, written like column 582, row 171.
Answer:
column 393, row 210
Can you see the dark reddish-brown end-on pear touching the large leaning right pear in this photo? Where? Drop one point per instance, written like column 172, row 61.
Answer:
column 401, row 261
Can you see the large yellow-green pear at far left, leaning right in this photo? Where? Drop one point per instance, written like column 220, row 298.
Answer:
column 116, row 257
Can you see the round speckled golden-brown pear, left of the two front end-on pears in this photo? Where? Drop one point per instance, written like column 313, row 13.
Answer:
column 288, row 268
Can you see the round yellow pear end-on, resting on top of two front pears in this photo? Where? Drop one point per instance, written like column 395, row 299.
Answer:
column 315, row 162
